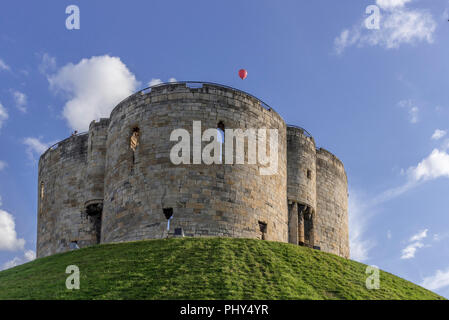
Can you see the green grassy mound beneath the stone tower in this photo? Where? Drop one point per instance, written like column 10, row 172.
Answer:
column 202, row 268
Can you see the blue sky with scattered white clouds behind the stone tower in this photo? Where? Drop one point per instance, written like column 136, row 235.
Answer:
column 376, row 98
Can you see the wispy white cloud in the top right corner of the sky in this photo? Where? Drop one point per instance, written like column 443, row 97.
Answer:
column 398, row 25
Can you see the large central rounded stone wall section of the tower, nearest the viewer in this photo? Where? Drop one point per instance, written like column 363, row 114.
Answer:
column 143, row 188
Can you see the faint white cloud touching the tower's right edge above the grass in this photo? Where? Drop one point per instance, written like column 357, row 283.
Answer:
column 359, row 215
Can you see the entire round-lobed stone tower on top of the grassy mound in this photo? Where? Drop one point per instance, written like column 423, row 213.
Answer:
column 117, row 182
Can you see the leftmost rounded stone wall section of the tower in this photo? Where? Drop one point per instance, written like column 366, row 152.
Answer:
column 61, row 193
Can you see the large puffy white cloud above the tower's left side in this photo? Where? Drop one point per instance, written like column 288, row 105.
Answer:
column 94, row 87
